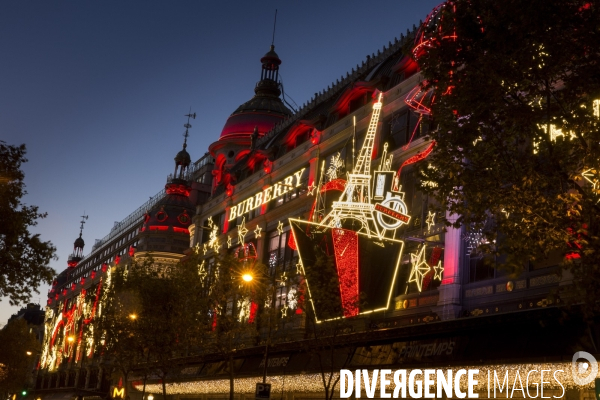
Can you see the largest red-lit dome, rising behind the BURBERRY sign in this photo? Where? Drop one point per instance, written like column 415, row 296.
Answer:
column 261, row 113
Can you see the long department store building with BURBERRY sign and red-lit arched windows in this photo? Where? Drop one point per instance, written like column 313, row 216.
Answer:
column 336, row 177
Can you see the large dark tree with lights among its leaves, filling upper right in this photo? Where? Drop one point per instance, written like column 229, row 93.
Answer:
column 517, row 141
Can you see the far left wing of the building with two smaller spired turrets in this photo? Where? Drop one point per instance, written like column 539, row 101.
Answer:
column 67, row 365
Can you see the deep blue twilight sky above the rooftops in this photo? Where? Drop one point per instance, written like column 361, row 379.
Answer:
column 97, row 90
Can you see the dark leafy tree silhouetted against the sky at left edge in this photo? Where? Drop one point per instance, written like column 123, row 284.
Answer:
column 24, row 258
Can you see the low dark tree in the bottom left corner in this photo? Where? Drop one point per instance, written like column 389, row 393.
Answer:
column 16, row 364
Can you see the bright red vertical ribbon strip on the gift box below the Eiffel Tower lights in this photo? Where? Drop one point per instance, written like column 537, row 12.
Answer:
column 345, row 244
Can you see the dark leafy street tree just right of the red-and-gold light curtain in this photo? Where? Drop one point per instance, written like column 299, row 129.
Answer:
column 171, row 314
